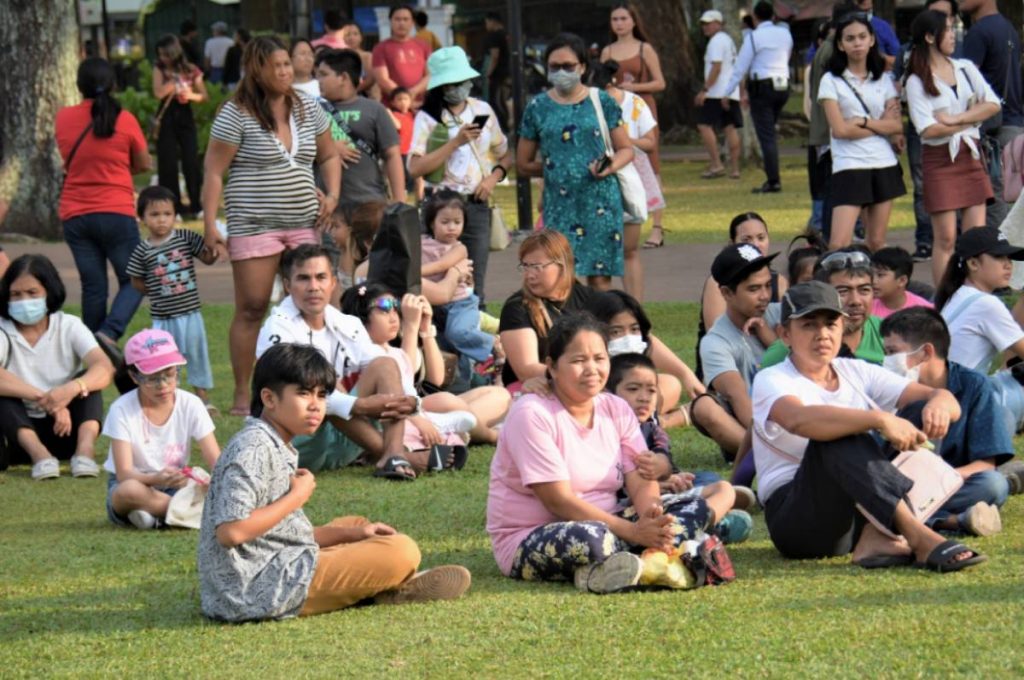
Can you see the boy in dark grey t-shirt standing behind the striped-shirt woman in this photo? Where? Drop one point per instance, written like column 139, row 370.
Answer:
column 363, row 130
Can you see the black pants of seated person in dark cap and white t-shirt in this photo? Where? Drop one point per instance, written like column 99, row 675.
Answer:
column 816, row 516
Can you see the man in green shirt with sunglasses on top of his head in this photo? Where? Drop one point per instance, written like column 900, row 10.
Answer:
column 850, row 273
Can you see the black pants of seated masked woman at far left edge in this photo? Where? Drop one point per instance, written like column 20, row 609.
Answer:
column 15, row 417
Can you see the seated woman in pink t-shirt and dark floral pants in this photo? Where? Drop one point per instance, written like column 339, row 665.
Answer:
column 552, row 507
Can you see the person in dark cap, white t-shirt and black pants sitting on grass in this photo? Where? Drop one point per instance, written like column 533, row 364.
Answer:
column 817, row 459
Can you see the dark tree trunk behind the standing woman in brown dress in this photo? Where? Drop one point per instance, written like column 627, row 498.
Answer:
column 667, row 30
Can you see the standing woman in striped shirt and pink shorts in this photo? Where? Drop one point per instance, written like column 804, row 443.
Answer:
column 269, row 137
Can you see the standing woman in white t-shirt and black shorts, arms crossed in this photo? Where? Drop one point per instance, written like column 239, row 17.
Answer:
column 863, row 108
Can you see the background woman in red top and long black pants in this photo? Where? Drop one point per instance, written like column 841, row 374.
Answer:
column 178, row 84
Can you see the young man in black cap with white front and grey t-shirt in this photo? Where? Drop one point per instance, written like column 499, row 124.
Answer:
column 734, row 348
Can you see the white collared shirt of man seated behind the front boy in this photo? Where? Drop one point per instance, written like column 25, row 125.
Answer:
column 345, row 343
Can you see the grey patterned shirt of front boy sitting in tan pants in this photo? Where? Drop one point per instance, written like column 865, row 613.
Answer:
column 269, row 577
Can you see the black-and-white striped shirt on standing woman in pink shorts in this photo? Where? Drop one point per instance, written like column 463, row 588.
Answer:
column 271, row 188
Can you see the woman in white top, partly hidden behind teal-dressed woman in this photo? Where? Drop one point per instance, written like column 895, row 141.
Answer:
column 643, row 129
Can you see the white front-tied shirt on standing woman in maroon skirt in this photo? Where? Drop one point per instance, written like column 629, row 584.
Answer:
column 971, row 87
